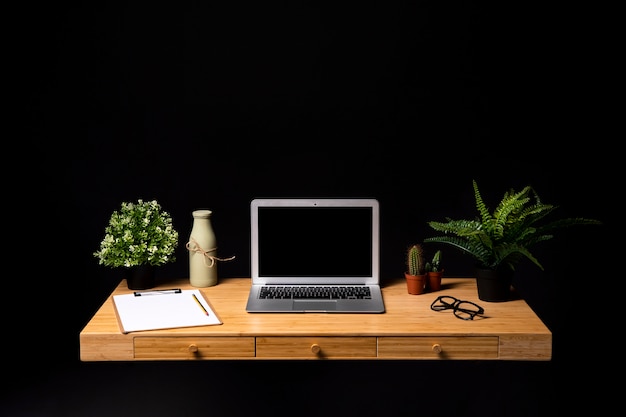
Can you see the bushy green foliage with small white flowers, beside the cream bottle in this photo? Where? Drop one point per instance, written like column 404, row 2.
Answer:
column 139, row 233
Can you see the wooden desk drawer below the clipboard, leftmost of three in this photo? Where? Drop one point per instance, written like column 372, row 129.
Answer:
column 198, row 347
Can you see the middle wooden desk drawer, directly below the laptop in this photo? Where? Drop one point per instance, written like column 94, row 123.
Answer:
column 315, row 347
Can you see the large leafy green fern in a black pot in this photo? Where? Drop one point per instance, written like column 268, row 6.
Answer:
column 498, row 240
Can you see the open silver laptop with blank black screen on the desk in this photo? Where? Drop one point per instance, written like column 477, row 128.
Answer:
column 315, row 255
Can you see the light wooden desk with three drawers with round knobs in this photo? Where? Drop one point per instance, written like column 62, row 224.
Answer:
column 408, row 329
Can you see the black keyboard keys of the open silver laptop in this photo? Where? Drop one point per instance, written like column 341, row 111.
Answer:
column 315, row 292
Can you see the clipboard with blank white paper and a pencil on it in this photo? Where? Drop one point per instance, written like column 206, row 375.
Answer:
column 163, row 309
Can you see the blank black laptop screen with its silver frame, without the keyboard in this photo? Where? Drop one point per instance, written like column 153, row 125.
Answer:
column 315, row 241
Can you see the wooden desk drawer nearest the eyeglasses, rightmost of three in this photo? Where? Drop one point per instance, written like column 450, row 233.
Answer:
column 438, row 347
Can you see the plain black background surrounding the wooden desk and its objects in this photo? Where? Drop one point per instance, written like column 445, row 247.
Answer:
column 208, row 106
